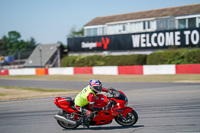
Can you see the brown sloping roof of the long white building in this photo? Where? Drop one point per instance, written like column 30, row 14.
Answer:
column 163, row 12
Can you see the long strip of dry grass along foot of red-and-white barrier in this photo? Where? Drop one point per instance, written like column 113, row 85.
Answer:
column 111, row 78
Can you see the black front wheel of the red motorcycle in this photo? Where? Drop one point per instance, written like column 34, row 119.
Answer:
column 131, row 119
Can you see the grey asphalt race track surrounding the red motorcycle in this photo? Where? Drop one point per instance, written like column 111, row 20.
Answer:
column 162, row 108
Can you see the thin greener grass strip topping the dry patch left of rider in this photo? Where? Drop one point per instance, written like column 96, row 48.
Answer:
column 36, row 89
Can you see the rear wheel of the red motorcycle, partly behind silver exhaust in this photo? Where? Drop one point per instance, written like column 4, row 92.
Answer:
column 63, row 124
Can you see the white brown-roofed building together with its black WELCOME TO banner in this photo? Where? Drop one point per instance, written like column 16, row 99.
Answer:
column 140, row 32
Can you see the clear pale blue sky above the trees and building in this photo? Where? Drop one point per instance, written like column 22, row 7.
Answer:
column 50, row 21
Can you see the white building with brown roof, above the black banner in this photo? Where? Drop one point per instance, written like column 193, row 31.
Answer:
column 144, row 21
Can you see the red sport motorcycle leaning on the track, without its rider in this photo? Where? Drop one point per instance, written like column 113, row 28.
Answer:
column 116, row 102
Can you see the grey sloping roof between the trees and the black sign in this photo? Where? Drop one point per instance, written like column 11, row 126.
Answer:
column 47, row 51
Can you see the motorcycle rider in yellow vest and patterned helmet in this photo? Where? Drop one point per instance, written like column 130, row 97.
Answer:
column 85, row 100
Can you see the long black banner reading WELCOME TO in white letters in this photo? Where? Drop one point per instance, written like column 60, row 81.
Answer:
column 145, row 40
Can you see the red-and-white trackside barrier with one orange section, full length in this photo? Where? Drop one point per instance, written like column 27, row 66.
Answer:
column 109, row 70
